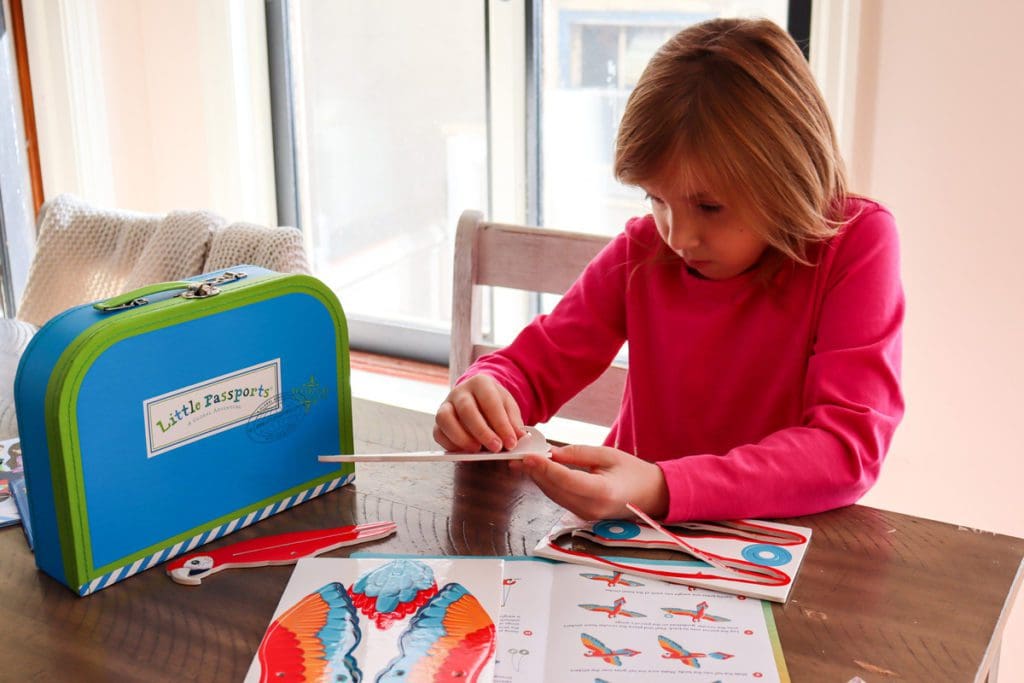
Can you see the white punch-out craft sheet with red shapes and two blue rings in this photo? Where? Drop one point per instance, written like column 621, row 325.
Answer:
column 749, row 558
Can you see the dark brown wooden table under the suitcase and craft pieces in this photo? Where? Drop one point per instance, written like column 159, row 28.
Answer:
column 881, row 595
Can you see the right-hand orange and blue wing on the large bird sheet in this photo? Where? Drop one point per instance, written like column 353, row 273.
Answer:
column 451, row 639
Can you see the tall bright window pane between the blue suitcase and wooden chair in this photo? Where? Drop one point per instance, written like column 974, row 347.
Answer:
column 392, row 112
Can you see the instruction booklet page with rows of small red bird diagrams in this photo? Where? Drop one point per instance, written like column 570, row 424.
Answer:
column 566, row 623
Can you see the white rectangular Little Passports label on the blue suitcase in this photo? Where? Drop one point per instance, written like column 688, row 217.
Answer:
column 209, row 408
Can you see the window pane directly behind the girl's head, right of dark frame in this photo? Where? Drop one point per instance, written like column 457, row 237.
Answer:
column 593, row 55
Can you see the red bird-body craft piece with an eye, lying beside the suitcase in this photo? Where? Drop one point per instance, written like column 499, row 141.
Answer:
column 268, row 550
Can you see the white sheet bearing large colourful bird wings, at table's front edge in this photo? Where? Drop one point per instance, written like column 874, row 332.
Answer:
column 383, row 620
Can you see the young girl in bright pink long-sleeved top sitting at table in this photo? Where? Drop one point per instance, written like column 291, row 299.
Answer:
column 761, row 303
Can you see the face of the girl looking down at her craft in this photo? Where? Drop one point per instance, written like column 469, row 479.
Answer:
column 713, row 233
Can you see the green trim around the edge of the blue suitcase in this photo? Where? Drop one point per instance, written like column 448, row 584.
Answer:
column 75, row 362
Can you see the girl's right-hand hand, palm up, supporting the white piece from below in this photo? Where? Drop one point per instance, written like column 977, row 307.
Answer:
column 609, row 481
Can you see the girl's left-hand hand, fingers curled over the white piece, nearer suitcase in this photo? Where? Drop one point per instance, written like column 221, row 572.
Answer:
column 479, row 413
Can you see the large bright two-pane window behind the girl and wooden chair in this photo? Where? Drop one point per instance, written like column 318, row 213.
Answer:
column 406, row 114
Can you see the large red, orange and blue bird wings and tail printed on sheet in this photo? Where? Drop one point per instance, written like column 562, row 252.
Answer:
column 318, row 638
